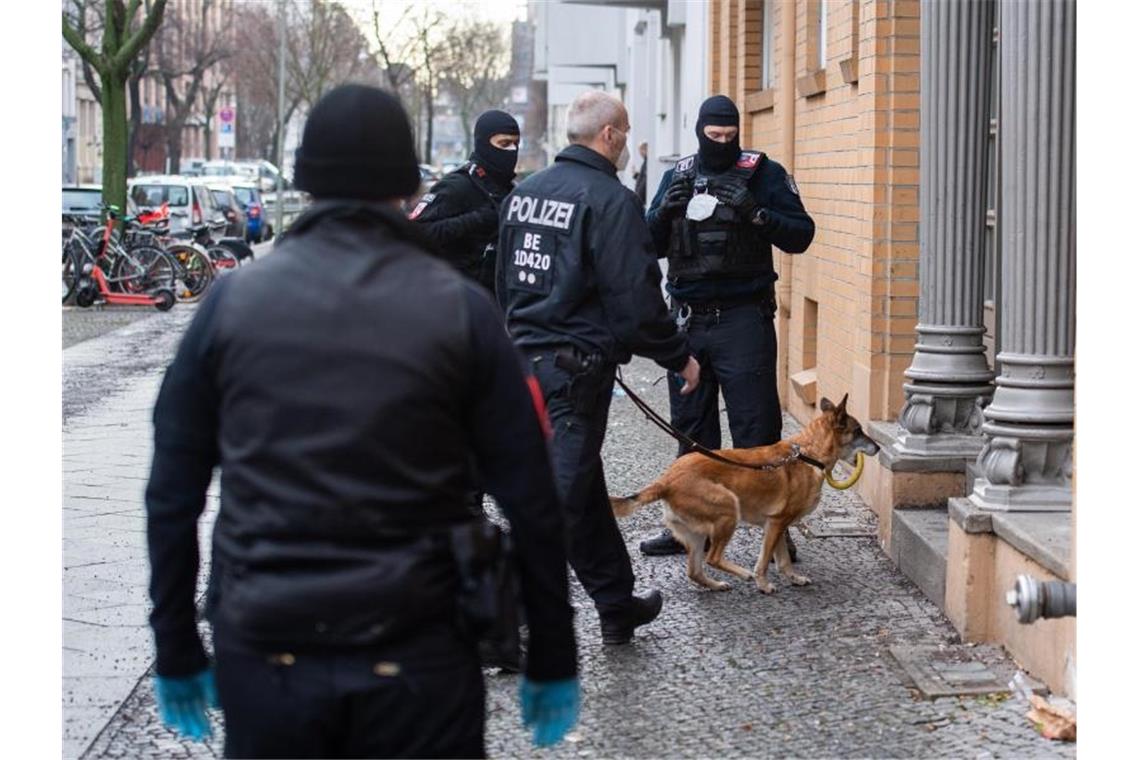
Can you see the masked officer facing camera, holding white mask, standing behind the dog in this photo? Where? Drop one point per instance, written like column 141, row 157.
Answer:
column 716, row 217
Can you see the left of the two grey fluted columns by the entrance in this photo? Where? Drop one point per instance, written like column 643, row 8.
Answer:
column 951, row 380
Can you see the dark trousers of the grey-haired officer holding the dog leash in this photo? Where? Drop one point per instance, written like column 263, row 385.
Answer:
column 579, row 406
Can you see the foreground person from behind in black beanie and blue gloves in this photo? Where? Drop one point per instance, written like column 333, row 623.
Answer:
column 341, row 386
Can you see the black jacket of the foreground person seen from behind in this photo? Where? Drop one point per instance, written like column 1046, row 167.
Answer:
column 344, row 385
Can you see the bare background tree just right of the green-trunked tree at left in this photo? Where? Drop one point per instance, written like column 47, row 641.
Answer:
column 186, row 51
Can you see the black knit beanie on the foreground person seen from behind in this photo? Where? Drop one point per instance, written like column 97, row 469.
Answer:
column 357, row 144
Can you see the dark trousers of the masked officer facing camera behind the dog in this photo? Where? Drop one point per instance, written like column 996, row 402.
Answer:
column 737, row 350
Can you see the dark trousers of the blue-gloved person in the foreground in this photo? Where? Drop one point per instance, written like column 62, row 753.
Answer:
column 421, row 698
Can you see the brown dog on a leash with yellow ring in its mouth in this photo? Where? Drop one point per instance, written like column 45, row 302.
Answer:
column 706, row 500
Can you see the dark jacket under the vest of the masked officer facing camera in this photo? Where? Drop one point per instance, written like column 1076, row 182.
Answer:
column 789, row 228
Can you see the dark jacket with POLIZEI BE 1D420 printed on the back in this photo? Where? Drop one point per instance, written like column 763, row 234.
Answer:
column 576, row 265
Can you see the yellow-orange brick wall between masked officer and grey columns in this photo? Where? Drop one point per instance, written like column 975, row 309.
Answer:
column 856, row 161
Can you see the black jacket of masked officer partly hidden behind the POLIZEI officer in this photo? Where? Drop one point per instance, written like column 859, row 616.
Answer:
column 461, row 217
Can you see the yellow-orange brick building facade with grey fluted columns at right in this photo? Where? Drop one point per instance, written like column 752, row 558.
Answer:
column 950, row 323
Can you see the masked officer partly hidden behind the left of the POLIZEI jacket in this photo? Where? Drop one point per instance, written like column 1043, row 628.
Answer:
column 461, row 211
